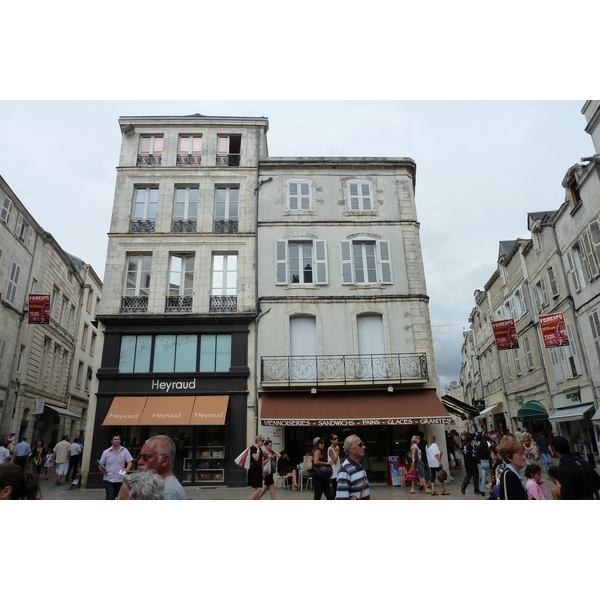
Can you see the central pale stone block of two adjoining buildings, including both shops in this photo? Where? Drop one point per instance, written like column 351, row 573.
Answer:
column 245, row 293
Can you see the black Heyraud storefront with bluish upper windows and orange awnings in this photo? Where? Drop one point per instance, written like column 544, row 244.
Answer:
column 201, row 405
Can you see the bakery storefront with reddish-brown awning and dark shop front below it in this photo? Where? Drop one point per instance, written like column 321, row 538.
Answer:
column 384, row 420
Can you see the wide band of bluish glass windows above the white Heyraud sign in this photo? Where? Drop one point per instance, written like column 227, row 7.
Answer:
column 185, row 353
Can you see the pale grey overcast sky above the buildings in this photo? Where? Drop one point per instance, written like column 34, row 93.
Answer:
column 481, row 167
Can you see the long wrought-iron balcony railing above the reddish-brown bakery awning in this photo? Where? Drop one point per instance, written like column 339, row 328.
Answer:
column 354, row 369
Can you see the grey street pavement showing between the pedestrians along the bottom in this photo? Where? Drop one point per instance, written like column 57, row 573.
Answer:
column 379, row 491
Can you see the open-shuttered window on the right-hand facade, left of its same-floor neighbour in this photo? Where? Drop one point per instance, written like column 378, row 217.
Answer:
column 301, row 262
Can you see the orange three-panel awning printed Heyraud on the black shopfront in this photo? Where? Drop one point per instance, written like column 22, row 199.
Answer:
column 167, row 410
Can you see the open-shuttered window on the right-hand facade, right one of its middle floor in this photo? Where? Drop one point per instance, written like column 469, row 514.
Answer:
column 366, row 261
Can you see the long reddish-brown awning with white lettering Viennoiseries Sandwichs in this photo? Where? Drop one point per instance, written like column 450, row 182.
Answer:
column 410, row 407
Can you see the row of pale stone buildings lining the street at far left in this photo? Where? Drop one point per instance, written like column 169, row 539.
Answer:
column 41, row 399
